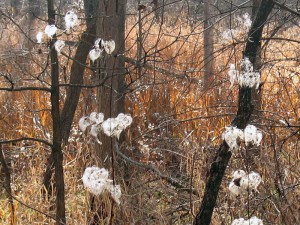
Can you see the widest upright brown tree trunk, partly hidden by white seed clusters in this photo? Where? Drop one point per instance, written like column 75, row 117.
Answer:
column 110, row 26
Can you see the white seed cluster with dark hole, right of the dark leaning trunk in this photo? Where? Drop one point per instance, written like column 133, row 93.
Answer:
column 242, row 182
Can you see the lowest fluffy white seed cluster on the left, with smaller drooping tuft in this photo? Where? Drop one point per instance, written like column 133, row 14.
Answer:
column 97, row 180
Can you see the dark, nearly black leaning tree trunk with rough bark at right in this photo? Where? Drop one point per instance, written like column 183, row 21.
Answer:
column 244, row 113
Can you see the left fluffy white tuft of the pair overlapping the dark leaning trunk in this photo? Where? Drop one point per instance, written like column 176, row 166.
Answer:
column 233, row 137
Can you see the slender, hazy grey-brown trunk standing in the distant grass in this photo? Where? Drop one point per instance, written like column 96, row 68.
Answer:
column 208, row 41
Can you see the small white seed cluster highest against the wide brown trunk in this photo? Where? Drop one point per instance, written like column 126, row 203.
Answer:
column 99, row 46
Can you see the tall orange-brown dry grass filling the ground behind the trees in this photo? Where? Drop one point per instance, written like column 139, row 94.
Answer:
column 177, row 128
